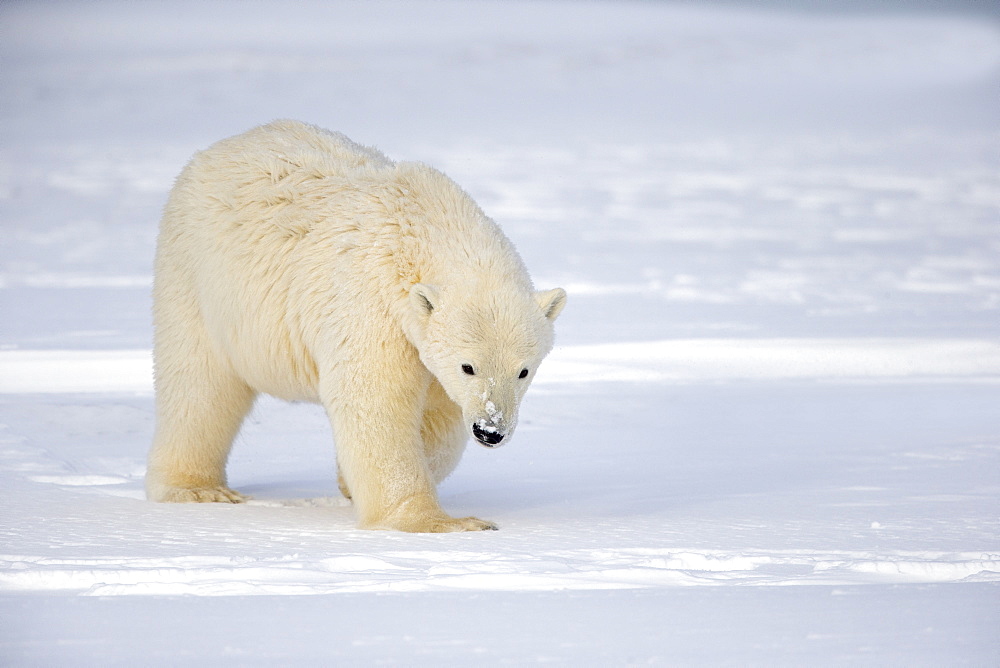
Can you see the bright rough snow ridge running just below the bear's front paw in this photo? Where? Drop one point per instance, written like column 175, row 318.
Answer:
column 412, row 571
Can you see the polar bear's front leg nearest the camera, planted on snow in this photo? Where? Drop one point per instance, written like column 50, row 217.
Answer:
column 380, row 452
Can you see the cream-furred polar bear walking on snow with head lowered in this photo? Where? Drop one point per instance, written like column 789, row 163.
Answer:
column 295, row 262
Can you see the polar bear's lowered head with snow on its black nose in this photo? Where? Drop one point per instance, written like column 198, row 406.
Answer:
column 484, row 347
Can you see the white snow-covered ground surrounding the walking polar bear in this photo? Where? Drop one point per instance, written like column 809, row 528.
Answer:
column 768, row 435
